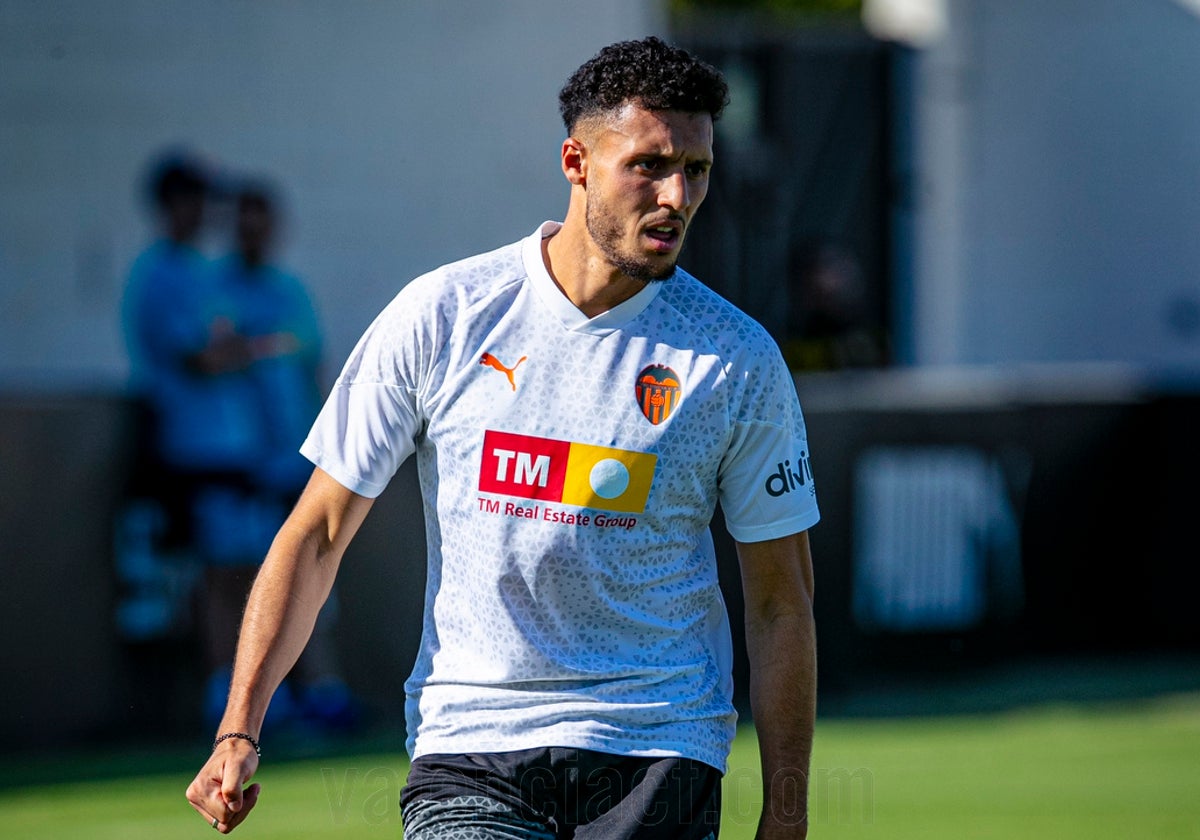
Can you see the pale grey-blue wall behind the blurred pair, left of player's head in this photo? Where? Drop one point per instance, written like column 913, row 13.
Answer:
column 404, row 135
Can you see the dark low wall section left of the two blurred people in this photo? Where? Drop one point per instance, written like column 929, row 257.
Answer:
column 62, row 463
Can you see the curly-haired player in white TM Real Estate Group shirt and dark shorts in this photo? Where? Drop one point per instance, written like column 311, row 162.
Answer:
column 578, row 407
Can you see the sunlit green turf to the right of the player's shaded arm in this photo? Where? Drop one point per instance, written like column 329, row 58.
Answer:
column 1059, row 773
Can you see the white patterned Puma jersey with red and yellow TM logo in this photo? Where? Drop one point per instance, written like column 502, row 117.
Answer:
column 571, row 467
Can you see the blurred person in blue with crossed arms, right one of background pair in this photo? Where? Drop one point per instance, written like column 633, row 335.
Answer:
column 265, row 356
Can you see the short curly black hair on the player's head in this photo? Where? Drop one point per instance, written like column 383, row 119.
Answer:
column 650, row 74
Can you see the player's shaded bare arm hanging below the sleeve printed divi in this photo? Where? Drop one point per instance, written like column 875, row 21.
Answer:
column 777, row 581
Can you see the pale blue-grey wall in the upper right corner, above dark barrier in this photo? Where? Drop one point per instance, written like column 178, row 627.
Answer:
column 1057, row 190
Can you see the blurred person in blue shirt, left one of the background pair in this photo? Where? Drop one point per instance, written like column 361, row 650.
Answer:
column 179, row 429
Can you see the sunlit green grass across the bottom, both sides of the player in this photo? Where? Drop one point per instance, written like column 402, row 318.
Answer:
column 1063, row 772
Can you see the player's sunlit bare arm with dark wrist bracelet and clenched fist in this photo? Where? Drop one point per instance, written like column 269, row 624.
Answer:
column 281, row 613
